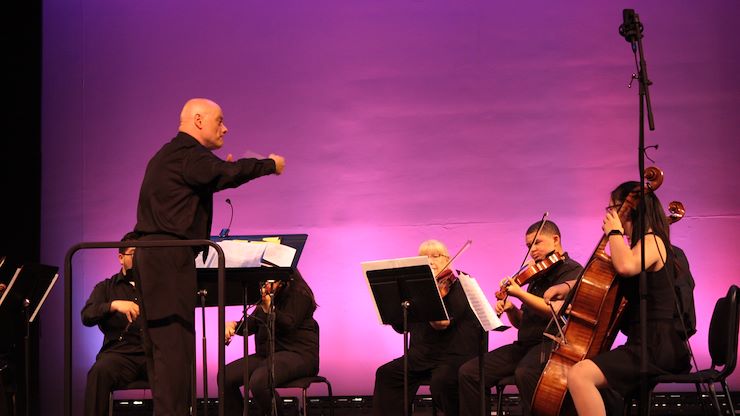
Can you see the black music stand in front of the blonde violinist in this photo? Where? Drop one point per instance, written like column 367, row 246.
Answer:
column 405, row 292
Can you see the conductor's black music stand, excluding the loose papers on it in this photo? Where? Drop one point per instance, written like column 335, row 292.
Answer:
column 243, row 288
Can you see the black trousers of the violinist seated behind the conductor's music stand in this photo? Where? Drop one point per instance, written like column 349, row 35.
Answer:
column 288, row 366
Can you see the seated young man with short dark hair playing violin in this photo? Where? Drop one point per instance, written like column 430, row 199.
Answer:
column 523, row 358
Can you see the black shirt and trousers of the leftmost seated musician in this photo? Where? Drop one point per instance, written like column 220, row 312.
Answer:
column 121, row 359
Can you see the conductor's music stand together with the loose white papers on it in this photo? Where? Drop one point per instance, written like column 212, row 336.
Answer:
column 251, row 262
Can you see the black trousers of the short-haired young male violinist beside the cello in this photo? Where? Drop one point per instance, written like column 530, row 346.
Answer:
column 525, row 363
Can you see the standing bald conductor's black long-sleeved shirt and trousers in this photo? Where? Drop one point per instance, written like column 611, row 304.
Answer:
column 175, row 203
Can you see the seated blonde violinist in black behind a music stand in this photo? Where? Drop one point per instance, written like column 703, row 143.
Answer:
column 436, row 349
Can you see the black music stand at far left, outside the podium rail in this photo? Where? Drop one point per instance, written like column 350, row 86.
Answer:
column 26, row 292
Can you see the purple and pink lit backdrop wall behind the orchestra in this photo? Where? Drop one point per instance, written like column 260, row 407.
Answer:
column 400, row 121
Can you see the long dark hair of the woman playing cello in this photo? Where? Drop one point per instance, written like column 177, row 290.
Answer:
column 655, row 217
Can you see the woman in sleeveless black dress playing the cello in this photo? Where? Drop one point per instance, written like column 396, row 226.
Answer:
column 619, row 369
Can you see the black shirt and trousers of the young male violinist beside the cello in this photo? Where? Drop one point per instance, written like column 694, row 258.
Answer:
column 526, row 357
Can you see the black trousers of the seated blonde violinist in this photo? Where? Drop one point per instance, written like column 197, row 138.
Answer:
column 388, row 394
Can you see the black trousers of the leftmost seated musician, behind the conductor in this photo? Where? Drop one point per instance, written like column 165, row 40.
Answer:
column 111, row 371
